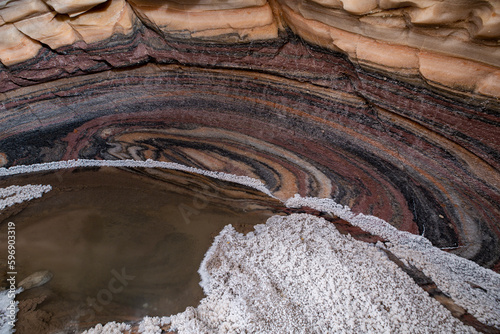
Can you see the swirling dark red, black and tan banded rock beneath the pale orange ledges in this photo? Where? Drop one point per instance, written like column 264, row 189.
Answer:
column 403, row 162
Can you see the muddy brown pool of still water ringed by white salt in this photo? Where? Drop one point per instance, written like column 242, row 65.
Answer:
column 120, row 243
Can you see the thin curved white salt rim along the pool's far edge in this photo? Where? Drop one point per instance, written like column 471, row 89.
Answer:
column 244, row 180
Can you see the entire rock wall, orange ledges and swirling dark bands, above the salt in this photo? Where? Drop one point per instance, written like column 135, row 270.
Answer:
column 390, row 107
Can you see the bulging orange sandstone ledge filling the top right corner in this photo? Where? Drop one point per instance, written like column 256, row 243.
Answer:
column 427, row 40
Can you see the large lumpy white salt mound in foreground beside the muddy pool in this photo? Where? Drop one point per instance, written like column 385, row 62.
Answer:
column 298, row 274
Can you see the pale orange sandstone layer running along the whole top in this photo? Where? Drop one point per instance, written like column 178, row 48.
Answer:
column 415, row 41
